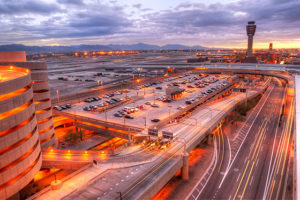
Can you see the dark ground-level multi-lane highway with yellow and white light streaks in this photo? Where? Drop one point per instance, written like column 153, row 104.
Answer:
column 256, row 167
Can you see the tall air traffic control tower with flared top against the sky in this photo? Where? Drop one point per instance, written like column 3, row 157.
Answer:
column 251, row 28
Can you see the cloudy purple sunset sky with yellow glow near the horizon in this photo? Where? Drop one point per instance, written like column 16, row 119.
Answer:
column 219, row 23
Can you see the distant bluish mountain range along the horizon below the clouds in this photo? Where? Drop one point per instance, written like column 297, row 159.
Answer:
column 83, row 47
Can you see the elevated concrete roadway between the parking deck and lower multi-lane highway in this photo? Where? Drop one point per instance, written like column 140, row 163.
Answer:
column 132, row 180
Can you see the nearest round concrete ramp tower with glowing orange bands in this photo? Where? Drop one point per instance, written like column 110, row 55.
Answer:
column 20, row 153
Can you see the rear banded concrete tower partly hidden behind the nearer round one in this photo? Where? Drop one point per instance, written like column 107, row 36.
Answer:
column 41, row 93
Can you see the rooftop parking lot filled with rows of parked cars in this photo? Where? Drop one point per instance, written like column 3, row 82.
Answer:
column 151, row 104
